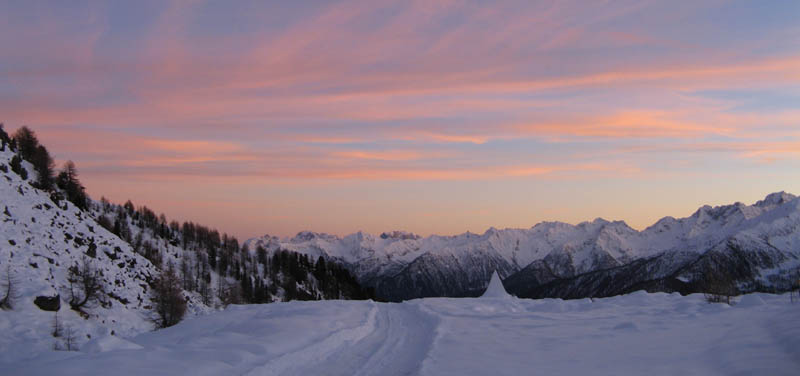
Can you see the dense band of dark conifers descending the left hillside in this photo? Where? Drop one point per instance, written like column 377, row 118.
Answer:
column 243, row 275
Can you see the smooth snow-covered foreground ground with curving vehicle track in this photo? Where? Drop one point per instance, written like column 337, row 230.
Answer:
column 636, row 334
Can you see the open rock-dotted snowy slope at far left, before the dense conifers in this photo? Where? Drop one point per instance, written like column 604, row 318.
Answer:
column 39, row 241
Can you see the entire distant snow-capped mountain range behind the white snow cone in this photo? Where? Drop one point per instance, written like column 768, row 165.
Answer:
column 757, row 245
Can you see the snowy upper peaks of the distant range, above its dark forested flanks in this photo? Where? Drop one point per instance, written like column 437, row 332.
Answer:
column 580, row 248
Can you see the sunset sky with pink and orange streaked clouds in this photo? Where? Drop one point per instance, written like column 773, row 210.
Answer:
column 436, row 117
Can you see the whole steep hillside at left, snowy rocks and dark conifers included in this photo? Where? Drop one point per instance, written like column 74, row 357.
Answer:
column 52, row 251
